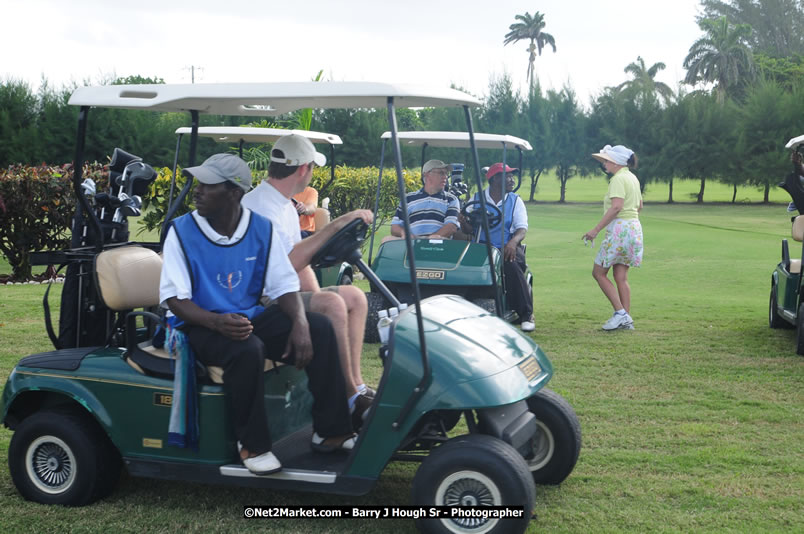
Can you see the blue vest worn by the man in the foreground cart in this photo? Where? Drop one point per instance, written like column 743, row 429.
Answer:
column 226, row 278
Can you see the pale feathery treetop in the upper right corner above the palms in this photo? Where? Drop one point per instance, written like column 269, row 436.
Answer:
column 778, row 24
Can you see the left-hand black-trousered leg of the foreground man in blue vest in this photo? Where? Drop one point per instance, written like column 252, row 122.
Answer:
column 243, row 365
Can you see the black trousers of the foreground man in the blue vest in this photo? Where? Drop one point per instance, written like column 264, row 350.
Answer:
column 243, row 369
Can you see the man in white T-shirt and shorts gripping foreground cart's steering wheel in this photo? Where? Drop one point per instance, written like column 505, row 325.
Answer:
column 293, row 159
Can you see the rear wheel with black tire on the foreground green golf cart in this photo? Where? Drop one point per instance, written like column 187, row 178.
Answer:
column 95, row 467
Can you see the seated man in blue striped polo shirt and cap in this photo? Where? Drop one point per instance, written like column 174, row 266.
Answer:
column 432, row 211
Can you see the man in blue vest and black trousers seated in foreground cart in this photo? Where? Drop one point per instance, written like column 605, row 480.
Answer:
column 218, row 262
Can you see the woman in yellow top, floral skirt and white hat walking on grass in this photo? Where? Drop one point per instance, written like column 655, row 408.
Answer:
column 622, row 246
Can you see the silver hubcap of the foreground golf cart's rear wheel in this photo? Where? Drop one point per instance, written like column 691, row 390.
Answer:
column 50, row 465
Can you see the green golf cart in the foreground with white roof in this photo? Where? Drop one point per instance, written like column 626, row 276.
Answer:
column 462, row 392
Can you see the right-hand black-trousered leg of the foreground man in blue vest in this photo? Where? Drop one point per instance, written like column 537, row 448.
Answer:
column 330, row 409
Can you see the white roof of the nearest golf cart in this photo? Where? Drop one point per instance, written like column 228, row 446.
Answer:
column 266, row 99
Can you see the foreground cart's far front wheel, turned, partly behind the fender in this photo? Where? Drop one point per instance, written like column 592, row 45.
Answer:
column 554, row 451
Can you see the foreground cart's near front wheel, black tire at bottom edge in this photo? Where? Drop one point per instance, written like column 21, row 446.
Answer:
column 473, row 470
